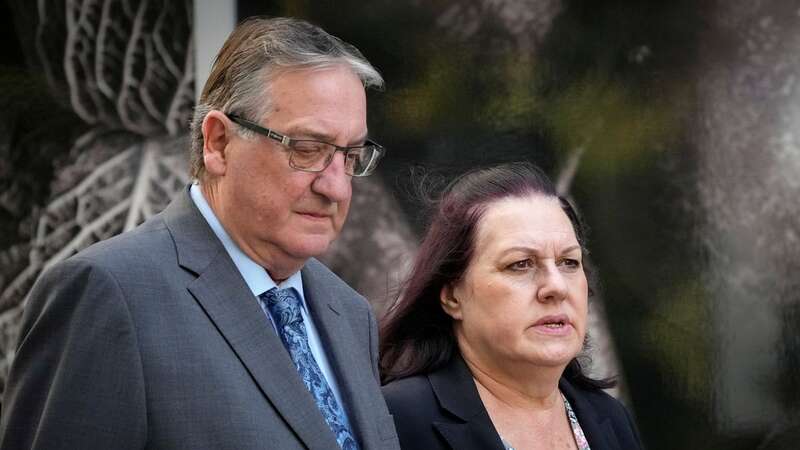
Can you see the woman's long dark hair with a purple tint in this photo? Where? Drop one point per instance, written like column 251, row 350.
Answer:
column 416, row 334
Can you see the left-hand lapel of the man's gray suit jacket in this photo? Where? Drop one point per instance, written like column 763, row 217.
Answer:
column 229, row 304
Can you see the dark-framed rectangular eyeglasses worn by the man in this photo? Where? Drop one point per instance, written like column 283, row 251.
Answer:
column 314, row 156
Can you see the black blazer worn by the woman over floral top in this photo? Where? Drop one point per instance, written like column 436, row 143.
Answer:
column 442, row 410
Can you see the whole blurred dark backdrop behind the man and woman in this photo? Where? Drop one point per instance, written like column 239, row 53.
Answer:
column 672, row 125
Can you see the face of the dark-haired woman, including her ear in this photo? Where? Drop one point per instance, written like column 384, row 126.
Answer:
column 523, row 298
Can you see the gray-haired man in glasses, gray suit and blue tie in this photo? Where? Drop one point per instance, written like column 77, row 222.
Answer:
column 212, row 325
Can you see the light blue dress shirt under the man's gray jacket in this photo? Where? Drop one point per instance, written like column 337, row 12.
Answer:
column 259, row 281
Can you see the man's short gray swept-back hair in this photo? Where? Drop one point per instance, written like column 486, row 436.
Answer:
column 257, row 51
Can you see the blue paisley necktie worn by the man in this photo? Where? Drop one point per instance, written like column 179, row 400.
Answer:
column 284, row 307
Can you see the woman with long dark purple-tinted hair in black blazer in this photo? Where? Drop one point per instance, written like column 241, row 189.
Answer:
column 480, row 350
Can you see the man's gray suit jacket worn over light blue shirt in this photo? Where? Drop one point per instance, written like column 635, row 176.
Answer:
column 152, row 339
